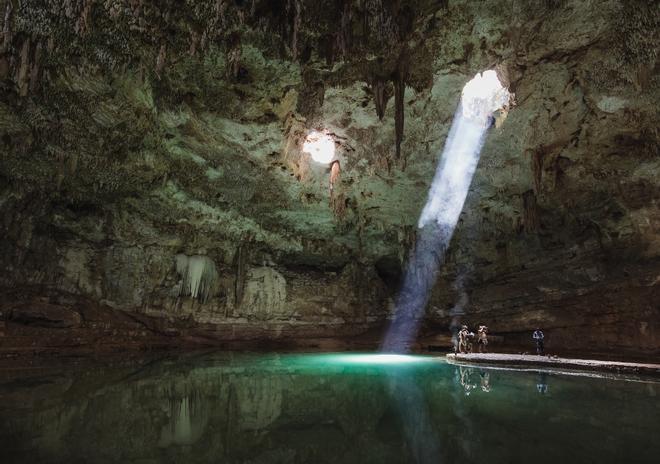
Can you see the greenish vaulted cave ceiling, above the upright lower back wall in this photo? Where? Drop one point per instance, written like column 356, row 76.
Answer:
column 180, row 124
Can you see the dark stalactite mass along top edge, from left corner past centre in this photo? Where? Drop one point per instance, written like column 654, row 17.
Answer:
column 119, row 33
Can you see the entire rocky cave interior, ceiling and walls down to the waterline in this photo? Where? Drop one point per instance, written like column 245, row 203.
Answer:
column 136, row 132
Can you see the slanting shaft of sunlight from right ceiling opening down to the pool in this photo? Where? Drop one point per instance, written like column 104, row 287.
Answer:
column 480, row 98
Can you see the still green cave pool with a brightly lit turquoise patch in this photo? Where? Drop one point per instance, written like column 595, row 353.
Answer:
column 323, row 408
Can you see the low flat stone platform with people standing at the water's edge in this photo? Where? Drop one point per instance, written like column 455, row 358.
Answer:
column 523, row 360
